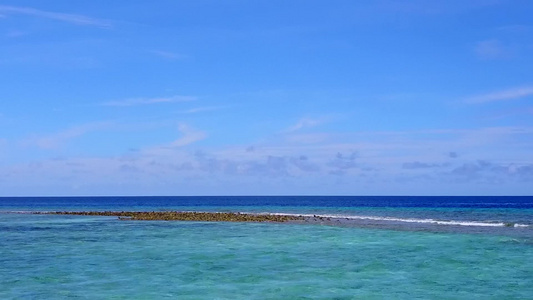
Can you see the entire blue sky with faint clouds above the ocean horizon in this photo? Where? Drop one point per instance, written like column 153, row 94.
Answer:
column 266, row 97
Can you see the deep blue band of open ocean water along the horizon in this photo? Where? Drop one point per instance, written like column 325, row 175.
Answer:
column 524, row 202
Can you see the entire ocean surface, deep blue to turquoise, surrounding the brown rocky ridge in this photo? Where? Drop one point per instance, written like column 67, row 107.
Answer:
column 373, row 248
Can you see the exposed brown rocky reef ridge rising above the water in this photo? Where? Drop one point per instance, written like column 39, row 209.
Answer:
column 185, row 216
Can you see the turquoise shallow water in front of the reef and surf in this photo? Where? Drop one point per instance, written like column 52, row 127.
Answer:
column 75, row 257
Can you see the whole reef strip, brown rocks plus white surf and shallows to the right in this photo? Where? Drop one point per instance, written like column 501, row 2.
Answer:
column 424, row 225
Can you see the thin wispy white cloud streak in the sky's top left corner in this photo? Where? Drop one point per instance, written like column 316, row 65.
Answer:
column 69, row 18
